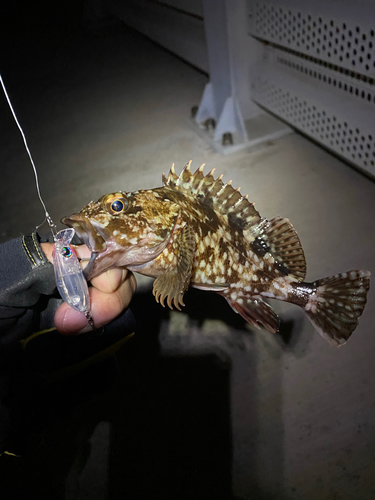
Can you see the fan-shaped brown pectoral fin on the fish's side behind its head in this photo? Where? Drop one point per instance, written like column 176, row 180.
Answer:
column 172, row 284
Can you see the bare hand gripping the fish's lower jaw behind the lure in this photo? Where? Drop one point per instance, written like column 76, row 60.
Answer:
column 110, row 294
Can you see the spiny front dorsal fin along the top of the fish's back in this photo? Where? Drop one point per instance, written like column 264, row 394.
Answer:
column 223, row 198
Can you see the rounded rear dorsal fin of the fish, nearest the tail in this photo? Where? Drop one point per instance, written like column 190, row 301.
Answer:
column 284, row 245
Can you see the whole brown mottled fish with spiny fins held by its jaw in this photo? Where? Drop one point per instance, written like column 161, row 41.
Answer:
column 197, row 231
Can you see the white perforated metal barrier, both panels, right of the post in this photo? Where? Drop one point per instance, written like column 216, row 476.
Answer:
column 317, row 72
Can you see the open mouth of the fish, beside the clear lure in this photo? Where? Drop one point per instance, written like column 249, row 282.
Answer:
column 91, row 235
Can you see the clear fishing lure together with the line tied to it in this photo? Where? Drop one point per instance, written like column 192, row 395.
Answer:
column 69, row 277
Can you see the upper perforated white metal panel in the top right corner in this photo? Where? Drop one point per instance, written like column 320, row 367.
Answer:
column 328, row 32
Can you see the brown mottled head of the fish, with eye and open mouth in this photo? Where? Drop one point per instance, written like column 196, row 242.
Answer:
column 124, row 229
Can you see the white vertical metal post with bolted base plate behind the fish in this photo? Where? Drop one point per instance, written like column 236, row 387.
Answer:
column 232, row 57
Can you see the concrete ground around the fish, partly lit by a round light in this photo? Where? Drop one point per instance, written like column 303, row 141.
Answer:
column 203, row 407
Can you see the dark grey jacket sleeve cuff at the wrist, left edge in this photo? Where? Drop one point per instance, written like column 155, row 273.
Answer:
column 25, row 275
